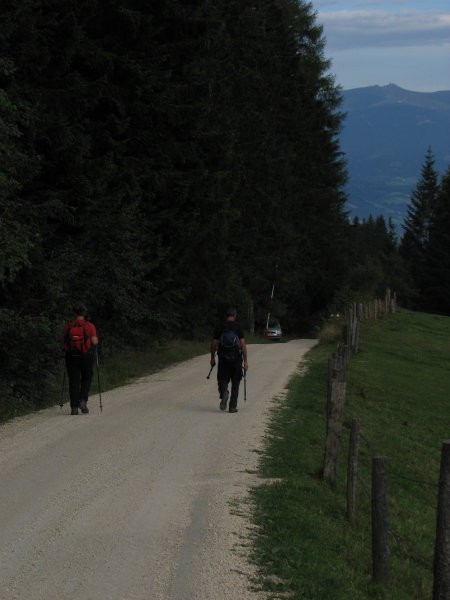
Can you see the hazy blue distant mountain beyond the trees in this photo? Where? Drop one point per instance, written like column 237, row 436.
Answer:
column 385, row 136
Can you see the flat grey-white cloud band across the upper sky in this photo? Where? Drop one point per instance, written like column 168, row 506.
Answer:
column 365, row 29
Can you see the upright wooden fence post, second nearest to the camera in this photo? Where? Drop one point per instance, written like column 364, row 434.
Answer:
column 380, row 530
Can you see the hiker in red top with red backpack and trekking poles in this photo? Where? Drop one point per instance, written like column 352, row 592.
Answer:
column 79, row 341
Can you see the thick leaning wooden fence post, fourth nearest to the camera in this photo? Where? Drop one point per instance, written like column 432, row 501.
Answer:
column 334, row 429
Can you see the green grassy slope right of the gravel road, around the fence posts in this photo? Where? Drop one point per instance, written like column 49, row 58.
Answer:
column 398, row 386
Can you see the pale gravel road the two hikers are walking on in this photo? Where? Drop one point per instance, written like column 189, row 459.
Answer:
column 143, row 501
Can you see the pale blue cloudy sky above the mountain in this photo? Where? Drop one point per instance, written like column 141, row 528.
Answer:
column 374, row 42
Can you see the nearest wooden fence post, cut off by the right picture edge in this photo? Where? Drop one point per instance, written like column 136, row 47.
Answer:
column 441, row 586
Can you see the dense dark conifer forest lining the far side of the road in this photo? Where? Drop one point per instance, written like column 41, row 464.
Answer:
column 159, row 160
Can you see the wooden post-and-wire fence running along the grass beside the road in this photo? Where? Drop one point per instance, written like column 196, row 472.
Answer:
column 336, row 390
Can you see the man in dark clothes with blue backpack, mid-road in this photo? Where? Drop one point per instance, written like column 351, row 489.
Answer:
column 229, row 343
